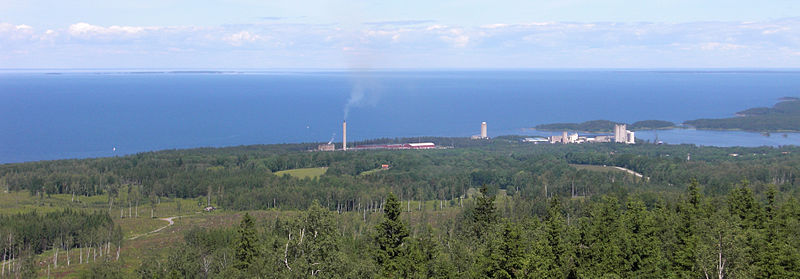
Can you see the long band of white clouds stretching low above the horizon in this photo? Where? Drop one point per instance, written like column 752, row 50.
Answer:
column 525, row 42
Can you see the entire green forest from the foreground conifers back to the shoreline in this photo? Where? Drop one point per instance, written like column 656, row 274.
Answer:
column 495, row 208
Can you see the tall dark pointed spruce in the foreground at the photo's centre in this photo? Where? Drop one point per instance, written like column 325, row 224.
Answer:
column 390, row 236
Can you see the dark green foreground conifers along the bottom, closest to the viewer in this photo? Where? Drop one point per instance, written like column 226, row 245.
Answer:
column 741, row 235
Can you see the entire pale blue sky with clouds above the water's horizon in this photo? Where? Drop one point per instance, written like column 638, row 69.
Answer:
column 338, row 34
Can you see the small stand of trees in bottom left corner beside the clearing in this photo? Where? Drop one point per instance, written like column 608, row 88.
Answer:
column 23, row 235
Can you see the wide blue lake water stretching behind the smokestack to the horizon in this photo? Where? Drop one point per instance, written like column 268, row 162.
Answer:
column 73, row 114
